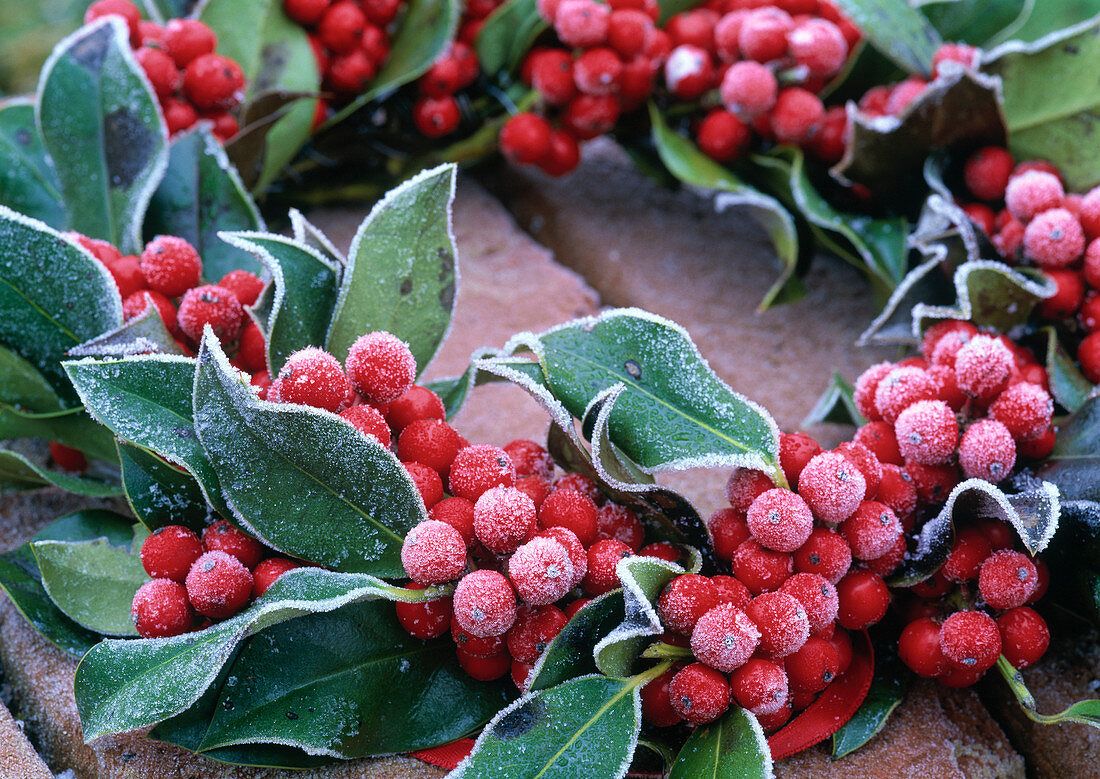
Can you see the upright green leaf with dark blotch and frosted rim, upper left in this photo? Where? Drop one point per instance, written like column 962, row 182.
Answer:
column 103, row 128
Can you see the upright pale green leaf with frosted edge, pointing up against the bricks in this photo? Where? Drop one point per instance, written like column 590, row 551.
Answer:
column 402, row 269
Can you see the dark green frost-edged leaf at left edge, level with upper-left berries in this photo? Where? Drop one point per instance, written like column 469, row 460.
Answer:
column 53, row 295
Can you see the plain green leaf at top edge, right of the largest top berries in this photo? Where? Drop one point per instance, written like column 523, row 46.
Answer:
column 896, row 29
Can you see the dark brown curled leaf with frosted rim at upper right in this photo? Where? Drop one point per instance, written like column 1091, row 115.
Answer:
column 961, row 108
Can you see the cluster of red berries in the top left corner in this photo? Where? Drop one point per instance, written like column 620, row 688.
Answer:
column 191, row 82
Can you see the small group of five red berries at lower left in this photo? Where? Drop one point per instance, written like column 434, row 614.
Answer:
column 196, row 581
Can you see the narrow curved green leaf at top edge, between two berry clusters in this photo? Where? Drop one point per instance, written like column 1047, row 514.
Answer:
column 427, row 29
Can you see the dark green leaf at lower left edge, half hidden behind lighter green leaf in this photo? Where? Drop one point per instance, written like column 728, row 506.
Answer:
column 21, row 580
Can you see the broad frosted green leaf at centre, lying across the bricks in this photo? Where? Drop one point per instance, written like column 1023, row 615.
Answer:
column 691, row 418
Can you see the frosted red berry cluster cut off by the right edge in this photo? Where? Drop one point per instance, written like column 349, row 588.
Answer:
column 1038, row 223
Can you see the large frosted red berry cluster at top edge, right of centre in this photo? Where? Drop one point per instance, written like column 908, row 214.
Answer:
column 756, row 69
